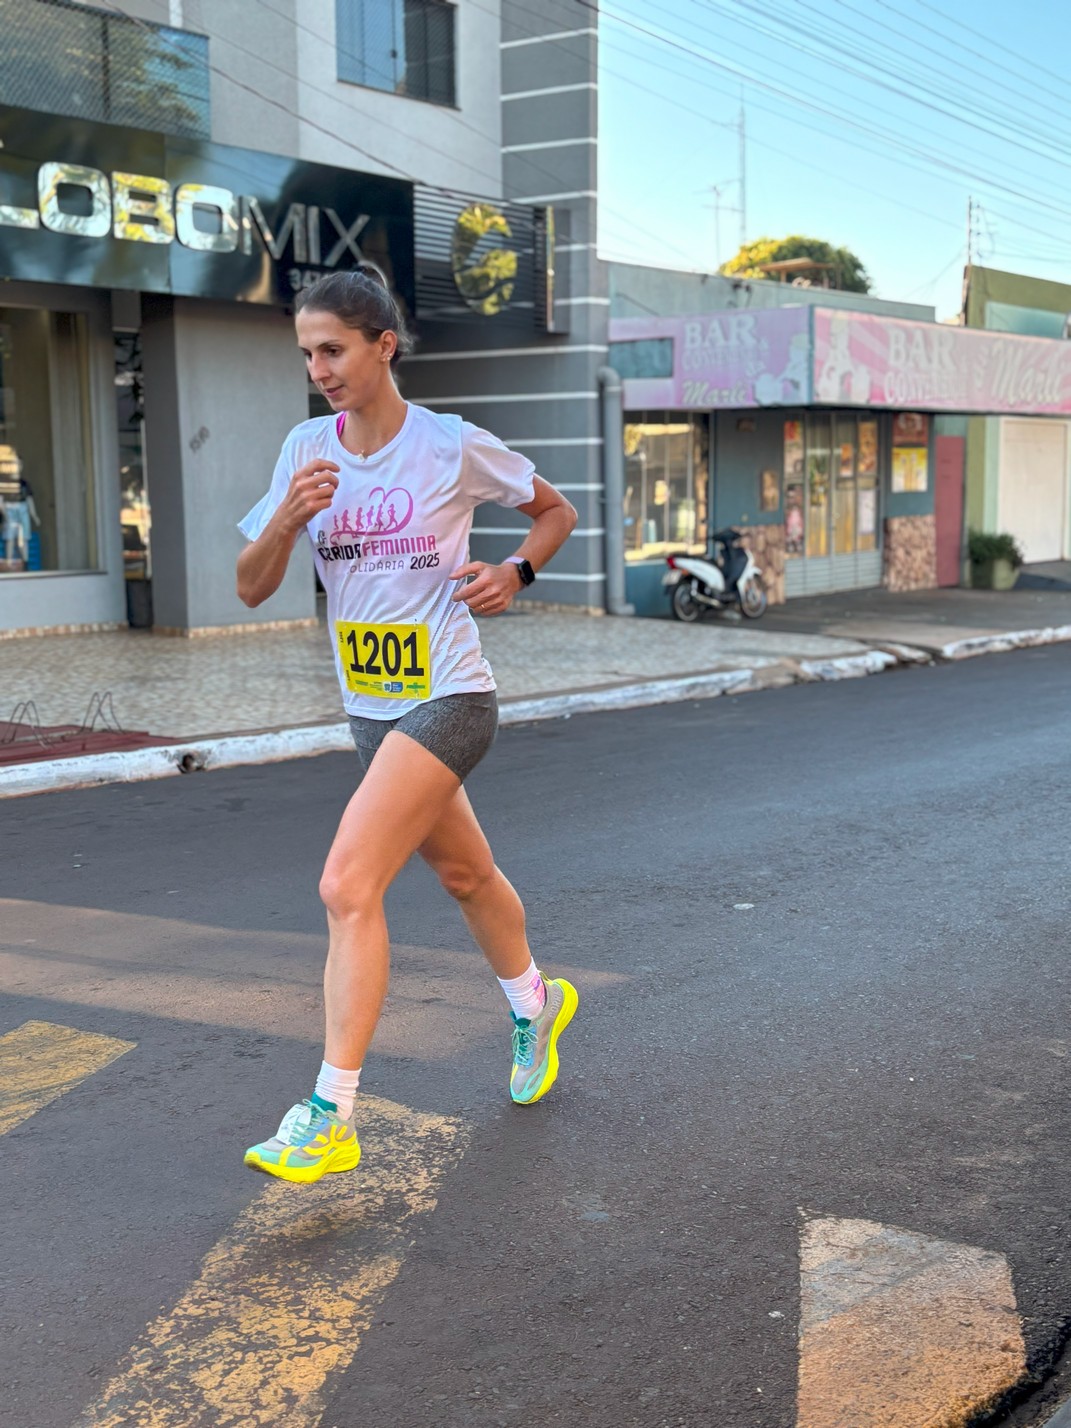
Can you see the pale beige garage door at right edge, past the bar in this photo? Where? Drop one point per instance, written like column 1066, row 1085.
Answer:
column 1033, row 486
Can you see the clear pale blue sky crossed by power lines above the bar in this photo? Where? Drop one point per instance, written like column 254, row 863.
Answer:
column 846, row 135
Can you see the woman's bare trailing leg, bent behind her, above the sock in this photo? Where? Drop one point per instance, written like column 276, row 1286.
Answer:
column 462, row 858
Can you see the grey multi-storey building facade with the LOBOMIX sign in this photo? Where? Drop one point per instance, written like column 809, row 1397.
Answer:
column 172, row 175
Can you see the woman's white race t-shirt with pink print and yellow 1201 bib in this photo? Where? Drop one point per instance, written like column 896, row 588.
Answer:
column 398, row 526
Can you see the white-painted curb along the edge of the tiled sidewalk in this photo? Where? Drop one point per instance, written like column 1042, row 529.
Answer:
column 232, row 750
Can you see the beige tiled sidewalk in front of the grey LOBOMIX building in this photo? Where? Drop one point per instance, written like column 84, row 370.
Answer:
column 225, row 685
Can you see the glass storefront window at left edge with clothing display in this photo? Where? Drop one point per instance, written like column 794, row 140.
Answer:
column 48, row 519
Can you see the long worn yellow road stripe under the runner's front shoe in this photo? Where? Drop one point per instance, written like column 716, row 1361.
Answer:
column 285, row 1297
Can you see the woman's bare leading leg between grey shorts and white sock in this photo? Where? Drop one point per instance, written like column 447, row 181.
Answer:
column 401, row 800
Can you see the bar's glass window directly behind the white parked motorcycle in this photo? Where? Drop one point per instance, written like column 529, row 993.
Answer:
column 666, row 483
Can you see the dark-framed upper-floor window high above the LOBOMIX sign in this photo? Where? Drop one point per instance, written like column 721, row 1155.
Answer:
column 401, row 46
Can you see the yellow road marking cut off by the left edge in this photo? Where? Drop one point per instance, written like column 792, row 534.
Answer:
column 41, row 1062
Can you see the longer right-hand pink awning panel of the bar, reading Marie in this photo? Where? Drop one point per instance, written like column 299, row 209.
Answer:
column 863, row 361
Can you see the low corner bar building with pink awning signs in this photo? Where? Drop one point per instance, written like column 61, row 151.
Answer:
column 832, row 436
